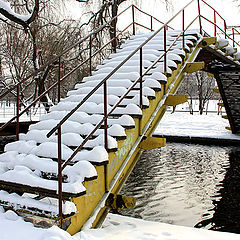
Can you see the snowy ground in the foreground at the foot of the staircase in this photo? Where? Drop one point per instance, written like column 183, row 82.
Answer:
column 115, row 227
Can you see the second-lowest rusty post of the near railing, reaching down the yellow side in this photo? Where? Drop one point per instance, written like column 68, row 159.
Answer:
column 105, row 133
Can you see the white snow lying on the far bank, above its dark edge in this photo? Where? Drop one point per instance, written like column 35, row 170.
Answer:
column 185, row 124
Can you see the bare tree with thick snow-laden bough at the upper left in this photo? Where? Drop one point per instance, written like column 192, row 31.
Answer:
column 32, row 34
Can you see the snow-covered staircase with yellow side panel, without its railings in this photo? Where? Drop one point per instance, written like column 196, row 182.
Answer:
column 29, row 168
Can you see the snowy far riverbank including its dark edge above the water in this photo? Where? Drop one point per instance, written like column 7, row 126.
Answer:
column 204, row 129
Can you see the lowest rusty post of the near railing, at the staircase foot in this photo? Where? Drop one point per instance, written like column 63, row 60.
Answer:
column 60, row 198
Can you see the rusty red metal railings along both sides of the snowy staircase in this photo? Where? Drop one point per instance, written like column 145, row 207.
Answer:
column 142, row 72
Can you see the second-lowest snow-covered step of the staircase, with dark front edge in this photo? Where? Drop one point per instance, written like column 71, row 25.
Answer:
column 23, row 179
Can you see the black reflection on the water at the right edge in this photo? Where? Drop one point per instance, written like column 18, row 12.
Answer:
column 226, row 211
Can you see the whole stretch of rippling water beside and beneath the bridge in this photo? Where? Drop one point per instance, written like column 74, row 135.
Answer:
column 189, row 185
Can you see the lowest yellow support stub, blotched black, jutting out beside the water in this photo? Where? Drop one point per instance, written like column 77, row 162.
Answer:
column 118, row 201
